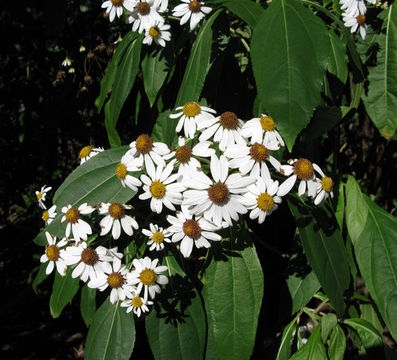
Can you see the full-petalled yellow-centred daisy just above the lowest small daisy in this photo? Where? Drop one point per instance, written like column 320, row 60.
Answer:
column 147, row 275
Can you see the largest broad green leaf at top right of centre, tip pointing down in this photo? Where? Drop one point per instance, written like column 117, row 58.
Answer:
column 286, row 31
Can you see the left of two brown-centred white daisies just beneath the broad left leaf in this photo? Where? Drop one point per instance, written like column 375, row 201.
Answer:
column 77, row 226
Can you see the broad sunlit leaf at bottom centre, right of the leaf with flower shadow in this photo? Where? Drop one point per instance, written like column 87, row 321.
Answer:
column 233, row 296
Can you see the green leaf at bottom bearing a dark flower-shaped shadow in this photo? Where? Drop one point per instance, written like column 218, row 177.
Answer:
column 177, row 330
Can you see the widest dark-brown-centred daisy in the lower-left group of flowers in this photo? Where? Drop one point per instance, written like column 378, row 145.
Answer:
column 90, row 261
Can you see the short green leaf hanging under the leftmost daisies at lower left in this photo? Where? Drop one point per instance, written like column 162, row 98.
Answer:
column 63, row 290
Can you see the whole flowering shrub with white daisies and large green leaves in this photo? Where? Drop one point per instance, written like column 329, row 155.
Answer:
column 167, row 226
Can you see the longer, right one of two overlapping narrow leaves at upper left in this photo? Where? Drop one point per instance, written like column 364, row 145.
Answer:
column 125, row 78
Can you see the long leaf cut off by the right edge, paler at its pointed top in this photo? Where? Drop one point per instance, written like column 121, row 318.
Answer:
column 374, row 235
